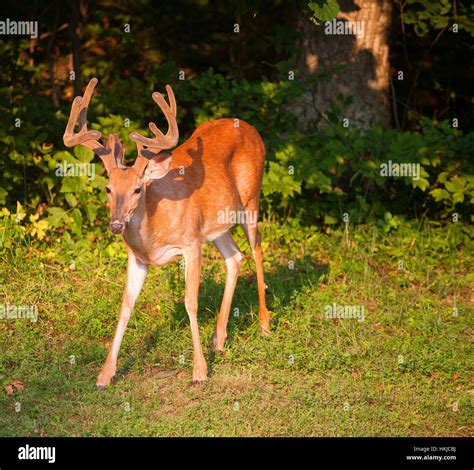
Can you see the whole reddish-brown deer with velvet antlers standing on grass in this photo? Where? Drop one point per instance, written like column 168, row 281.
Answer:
column 170, row 202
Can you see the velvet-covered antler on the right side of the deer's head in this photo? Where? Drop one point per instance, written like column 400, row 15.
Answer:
column 171, row 138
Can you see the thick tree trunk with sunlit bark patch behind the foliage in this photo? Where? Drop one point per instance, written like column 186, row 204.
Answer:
column 365, row 53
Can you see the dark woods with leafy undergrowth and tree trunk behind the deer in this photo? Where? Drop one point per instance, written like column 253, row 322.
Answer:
column 331, row 108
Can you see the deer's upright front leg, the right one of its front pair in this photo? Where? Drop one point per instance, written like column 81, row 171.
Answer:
column 192, row 259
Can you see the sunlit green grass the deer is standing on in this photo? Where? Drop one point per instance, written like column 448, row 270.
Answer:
column 391, row 375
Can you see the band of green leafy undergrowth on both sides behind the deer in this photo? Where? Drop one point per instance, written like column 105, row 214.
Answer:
column 317, row 175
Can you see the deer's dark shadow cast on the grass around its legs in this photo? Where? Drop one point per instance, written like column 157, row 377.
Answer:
column 284, row 282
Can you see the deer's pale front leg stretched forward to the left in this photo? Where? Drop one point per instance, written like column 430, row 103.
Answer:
column 136, row 273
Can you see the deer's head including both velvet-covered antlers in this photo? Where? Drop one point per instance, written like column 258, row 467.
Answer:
column 127, row 185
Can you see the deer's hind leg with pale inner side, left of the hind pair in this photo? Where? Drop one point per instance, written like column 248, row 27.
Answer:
column 233, row 259
